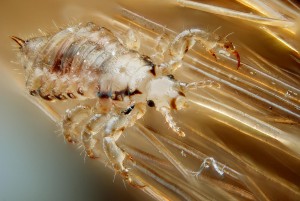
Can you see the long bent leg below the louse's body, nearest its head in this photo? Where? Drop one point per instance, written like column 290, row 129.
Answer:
column 113, row 130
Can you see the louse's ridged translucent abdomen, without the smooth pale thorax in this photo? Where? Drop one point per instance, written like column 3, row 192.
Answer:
column 65, row 66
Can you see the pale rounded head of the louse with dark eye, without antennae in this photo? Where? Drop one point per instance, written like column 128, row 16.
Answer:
column 165, row 92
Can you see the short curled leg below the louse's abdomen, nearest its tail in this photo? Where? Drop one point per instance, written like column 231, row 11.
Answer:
column 71, row 118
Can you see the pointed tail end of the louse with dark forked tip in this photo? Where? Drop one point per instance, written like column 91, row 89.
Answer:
column 29, row 48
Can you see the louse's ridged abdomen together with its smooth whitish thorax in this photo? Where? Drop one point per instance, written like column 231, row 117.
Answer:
column 80, row 62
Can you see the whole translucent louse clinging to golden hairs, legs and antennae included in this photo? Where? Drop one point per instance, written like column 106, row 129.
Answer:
column 90, row 62
